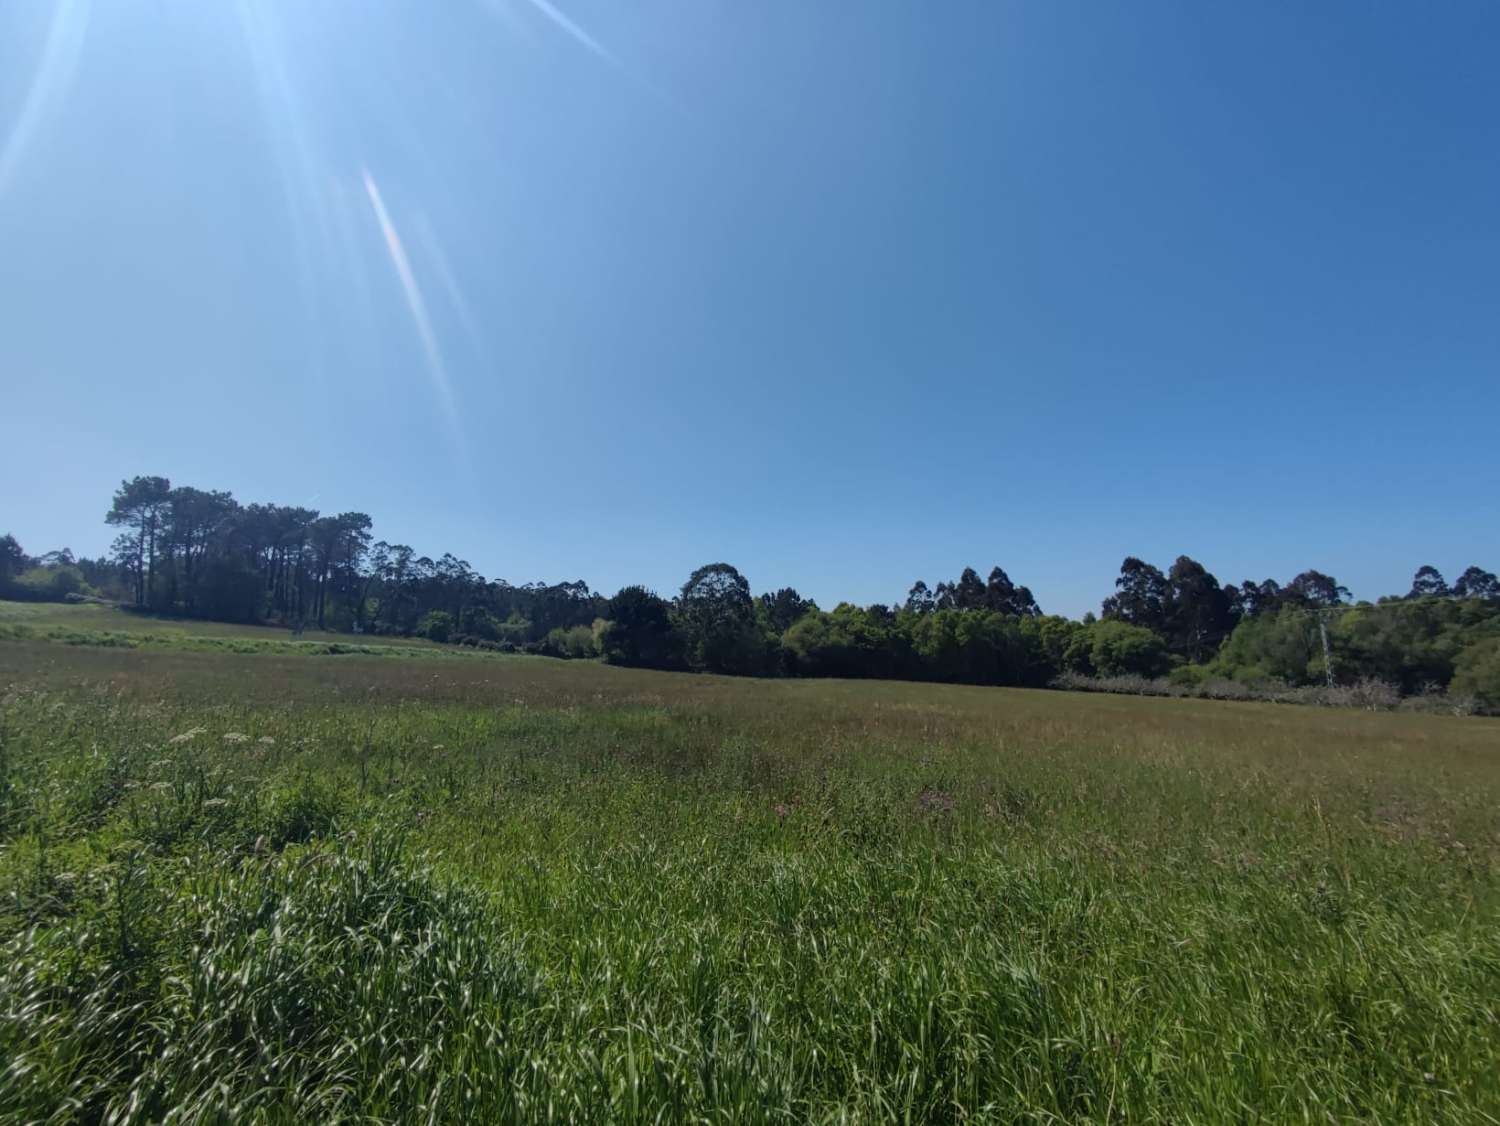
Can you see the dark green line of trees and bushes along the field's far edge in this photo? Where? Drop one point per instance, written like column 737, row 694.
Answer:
column 200, row 554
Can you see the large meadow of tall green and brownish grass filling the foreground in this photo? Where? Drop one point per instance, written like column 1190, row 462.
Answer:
column 287, row 890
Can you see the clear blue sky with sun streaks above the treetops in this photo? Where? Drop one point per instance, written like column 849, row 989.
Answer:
column 844, row 295
